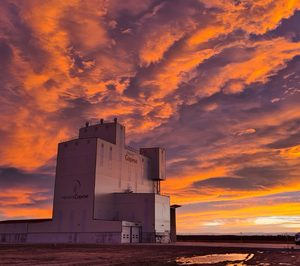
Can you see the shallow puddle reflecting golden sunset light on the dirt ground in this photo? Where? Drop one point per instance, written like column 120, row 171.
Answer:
column 215, row 258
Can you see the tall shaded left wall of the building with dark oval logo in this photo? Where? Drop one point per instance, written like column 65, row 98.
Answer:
column 74, row 185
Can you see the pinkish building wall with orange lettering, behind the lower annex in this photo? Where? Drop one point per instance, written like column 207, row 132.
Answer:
column 118, row 169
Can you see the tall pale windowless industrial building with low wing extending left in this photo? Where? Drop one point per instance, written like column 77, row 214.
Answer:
column 105, row 192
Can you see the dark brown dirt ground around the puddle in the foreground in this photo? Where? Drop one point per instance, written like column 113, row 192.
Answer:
column 136, row 255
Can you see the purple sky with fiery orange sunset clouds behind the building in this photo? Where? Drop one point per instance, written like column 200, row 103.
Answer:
column 215, row 82
